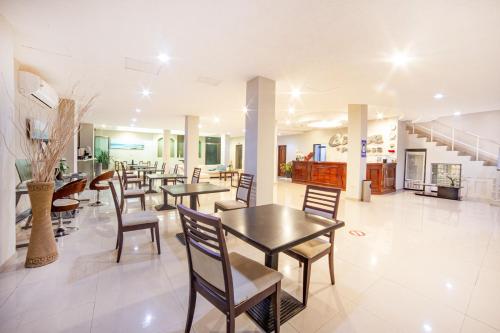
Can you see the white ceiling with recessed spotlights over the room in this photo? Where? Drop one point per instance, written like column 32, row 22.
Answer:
column 334, row 51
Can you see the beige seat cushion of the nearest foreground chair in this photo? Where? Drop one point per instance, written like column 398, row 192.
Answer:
column 250, row 277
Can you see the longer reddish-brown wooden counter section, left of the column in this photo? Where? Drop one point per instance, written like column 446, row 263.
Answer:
column 320, row 173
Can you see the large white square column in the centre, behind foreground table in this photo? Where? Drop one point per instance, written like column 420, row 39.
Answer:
column 260, row 136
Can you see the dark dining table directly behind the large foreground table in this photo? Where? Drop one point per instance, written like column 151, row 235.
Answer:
column 191, row 190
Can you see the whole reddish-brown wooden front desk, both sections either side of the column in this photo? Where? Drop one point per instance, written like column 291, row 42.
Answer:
column 382, row 175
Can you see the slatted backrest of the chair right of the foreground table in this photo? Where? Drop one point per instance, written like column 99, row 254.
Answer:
column 323, row 201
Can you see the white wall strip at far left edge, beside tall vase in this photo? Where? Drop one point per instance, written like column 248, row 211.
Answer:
column 7, row 185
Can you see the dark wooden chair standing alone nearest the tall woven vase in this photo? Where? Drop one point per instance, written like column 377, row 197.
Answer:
column 133, row 221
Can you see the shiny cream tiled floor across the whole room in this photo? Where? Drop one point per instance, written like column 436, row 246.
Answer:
column 425, row 265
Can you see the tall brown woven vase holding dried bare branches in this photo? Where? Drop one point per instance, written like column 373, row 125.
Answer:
column 44, row 154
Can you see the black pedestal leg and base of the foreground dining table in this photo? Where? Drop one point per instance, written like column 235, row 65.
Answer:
column 262, row 313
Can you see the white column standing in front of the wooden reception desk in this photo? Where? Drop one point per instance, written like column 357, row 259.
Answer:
column 356, row 164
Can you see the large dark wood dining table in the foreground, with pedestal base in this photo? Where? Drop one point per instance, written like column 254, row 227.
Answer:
column 274, row 229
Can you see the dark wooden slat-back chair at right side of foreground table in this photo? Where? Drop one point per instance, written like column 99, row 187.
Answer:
column 322, row 201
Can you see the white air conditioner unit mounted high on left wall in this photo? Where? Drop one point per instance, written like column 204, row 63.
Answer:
column 32, row 85
